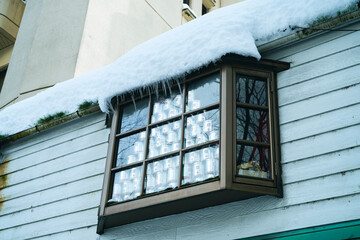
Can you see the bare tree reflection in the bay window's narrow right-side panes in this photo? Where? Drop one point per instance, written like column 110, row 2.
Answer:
column 252, row 124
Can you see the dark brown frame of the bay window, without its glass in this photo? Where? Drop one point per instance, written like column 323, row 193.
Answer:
column 227, row 187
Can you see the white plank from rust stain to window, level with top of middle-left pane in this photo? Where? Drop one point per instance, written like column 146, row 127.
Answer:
column 58, row 164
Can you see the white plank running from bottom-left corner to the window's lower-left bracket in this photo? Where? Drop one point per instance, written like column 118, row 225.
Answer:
column 76, row 220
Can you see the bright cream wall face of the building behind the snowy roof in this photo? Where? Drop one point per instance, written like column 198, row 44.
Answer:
column 114, row 27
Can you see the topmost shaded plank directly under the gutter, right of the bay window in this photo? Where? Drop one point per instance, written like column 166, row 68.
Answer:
column 307, row 43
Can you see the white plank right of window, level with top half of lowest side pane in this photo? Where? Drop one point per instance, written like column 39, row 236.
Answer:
column 321, row 144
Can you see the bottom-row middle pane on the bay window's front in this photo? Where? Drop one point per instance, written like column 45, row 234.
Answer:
column 162, row 174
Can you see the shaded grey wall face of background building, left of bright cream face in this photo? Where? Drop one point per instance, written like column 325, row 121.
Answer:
column 46, row 48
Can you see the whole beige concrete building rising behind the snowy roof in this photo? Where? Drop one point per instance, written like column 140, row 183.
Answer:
column 59, row 40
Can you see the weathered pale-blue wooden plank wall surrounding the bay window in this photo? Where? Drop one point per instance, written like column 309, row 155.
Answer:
column 54, row 178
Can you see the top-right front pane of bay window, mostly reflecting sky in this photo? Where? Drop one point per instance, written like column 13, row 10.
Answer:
column 203, row 92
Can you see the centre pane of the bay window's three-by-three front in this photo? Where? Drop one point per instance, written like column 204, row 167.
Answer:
column 165, row 138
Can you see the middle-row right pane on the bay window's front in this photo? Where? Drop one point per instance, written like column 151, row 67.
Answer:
column 202, row 127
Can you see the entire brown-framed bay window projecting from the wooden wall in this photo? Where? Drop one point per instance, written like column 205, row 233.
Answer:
column 209, row 140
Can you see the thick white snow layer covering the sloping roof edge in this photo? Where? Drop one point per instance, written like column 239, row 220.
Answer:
column 234, row 29
